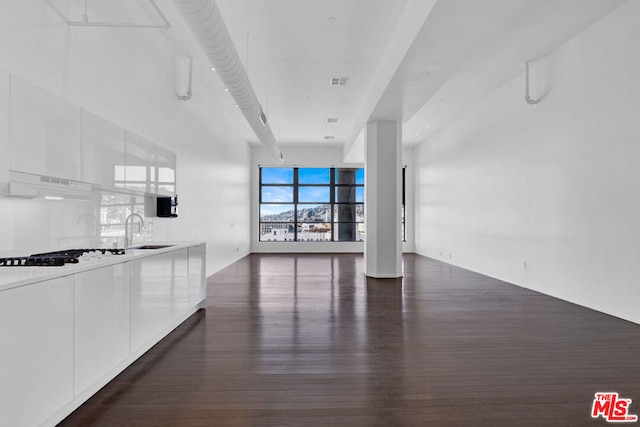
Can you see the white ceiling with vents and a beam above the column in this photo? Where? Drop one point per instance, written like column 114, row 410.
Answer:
column 421, row 62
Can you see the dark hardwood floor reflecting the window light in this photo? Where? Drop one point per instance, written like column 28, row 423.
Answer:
column 307, row 340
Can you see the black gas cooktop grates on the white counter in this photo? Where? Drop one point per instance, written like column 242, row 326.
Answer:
column 59, row 258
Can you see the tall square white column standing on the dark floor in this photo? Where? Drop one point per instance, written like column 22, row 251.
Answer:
column 383, row 199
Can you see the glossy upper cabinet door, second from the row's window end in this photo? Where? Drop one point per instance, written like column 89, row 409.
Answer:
column 139, row 170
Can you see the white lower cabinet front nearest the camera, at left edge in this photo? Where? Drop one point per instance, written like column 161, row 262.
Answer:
column 36, row 351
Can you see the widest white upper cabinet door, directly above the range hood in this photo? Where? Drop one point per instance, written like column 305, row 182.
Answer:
column 45, row 132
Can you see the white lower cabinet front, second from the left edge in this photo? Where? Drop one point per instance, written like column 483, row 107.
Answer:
column 101, row 332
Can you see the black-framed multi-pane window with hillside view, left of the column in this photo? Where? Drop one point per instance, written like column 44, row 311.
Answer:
column 311, row 204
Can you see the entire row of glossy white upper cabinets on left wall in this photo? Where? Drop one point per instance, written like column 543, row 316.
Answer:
column 44, row 134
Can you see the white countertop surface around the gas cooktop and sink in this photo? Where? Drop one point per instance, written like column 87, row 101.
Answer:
column 12, row 277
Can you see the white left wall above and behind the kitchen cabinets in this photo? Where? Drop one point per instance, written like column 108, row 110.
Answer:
column 131, row 77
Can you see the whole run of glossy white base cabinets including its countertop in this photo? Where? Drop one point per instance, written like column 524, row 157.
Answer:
column 67, row 331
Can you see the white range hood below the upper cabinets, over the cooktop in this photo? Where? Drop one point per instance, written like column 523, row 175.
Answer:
column 30, row 186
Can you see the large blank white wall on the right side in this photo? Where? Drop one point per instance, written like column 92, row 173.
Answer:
column 555, row 185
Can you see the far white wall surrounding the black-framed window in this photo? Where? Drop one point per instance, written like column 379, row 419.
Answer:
column 315, row 156
